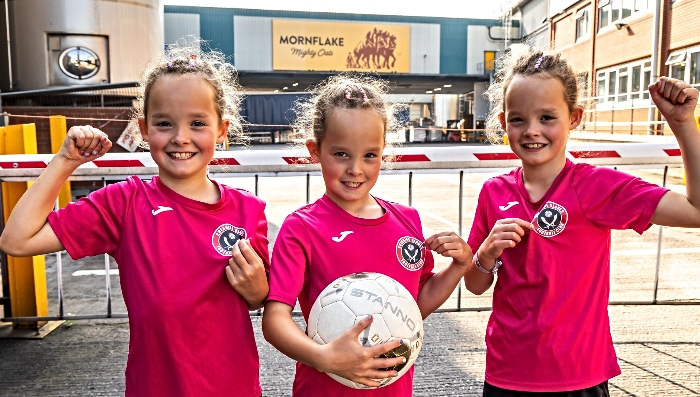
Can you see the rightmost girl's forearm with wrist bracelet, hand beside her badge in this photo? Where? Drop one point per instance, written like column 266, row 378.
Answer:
column 506, row 233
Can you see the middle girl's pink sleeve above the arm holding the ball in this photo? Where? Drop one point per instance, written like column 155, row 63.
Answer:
column 290, row 256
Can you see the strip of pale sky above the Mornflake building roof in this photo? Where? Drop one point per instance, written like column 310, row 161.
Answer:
column 434, row 8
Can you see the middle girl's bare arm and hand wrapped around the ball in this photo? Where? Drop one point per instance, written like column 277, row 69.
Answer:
column 344, row 356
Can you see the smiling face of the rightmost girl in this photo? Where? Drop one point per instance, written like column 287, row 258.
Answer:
column 537, row 120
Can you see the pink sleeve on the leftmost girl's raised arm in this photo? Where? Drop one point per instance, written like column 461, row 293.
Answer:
column 93, row 225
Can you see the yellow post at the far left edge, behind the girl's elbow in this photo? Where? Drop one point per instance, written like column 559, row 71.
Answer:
column 27, row 276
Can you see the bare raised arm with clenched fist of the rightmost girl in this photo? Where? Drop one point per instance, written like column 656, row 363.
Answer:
column 676, row 101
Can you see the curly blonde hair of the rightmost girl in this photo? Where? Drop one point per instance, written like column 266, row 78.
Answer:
column 524, row 60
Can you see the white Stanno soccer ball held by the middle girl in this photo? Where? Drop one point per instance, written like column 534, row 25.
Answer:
column 349, row 299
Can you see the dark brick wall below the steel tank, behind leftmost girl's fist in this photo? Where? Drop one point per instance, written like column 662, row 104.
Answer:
column 110, row 120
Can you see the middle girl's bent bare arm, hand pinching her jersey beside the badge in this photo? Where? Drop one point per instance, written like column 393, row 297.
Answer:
column 439, row 287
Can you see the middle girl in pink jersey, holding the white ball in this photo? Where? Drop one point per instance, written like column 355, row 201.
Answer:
column 347, row 231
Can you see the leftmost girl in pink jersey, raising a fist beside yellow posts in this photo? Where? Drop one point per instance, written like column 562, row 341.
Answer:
column 192, row 253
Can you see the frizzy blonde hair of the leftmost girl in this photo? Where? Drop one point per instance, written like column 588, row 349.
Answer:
column 199, row 60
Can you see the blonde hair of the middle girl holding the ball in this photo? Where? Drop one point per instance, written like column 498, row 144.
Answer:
column 345, row 91
